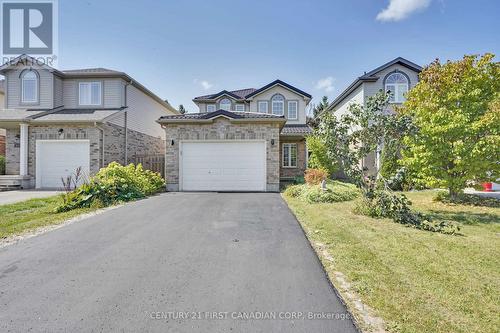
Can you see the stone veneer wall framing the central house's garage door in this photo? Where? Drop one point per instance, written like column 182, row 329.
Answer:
column 222, row 129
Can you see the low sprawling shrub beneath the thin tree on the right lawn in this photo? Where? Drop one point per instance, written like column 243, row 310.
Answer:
column 380, row 203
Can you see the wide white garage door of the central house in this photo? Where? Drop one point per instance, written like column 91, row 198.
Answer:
column 223, row 166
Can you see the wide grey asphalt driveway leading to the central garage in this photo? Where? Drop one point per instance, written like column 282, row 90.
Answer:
column 179, row 262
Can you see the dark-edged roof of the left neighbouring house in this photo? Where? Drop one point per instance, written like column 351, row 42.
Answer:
column 88, row 73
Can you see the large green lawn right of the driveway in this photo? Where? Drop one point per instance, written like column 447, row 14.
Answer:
column 417, row 281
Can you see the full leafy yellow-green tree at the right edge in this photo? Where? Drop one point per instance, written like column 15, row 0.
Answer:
column 455, row 107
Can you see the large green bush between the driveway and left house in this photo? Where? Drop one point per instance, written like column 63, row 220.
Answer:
column 114, row 184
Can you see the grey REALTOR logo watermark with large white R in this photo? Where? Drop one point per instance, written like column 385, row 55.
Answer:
column 29, row 27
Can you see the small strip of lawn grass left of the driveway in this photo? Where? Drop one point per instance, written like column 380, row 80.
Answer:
column 28, row 215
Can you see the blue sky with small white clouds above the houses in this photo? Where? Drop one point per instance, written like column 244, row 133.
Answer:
column 182, row 49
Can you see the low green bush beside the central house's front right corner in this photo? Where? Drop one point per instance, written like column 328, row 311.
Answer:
column 335, row 192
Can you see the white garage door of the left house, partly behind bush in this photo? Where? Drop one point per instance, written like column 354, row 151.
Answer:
column 56, row 159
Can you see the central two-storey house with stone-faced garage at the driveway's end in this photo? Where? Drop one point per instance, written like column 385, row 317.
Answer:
column 242, row 140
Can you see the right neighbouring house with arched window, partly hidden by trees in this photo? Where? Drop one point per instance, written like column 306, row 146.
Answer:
column 397, row 76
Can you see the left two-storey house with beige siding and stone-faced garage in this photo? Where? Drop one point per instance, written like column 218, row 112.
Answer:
column 57, row 121
